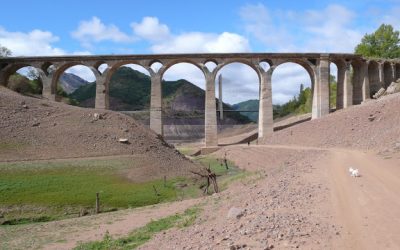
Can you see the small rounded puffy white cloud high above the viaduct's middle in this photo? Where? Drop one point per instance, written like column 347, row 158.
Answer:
column 151, row 29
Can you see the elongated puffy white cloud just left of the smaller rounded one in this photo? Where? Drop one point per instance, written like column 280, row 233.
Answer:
column 95, row 30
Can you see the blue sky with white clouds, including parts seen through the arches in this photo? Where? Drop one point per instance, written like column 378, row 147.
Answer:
column 139, row 27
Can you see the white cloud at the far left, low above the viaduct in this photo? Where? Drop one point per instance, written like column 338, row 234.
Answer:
column 33, row 43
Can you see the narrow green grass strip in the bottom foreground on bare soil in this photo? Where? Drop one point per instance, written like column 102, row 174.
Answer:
column 142, row 235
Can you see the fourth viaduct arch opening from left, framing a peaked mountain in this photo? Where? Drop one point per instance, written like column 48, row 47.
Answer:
column 183, row 101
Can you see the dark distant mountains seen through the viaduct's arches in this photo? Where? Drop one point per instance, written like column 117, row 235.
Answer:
column 183, row 102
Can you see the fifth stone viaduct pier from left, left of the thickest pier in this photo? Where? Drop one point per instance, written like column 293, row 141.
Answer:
column 265, row 112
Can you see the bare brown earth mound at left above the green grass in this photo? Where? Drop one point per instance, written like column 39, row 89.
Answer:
column 33, row 129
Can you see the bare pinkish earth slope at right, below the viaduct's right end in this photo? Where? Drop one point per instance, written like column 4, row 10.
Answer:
column 373, row 125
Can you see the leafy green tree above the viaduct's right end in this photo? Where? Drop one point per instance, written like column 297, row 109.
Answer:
column 383, row 43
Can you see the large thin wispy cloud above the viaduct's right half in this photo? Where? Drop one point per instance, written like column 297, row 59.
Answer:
column 323, row 30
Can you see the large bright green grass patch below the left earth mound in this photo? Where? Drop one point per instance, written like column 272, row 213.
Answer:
column 56, row 188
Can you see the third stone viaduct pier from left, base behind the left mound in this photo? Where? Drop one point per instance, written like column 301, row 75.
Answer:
column 156, row 104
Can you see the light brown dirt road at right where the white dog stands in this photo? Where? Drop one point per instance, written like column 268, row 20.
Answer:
column 368, row 207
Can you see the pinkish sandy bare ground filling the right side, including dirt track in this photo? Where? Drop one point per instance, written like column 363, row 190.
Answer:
column 301, row 194
